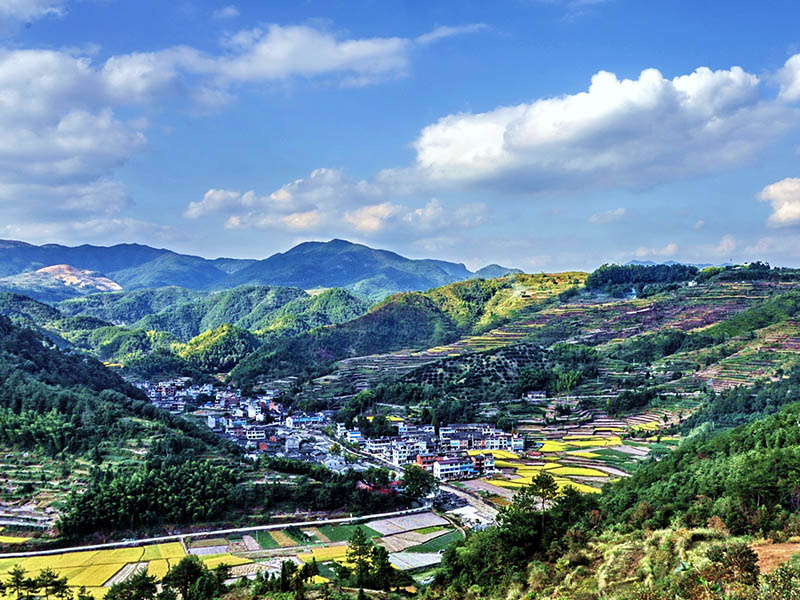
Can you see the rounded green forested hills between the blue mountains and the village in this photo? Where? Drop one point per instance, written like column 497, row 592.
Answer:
column 178, row 331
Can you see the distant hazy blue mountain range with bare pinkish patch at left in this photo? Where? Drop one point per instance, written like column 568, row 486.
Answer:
column 369, row 273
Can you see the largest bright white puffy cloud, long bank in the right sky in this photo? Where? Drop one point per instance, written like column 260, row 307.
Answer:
column 620, row 133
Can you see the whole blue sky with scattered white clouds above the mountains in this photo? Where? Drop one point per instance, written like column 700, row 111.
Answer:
column 540, row 134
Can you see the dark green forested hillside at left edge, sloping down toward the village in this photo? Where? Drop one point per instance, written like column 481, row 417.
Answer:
column 58, row 402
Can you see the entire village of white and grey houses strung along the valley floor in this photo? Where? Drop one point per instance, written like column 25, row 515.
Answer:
column 262, row 425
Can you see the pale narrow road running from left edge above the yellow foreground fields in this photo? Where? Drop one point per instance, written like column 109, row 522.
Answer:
column 216, row 532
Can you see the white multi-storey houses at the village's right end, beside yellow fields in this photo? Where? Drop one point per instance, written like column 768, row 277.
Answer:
column 455, row 453
